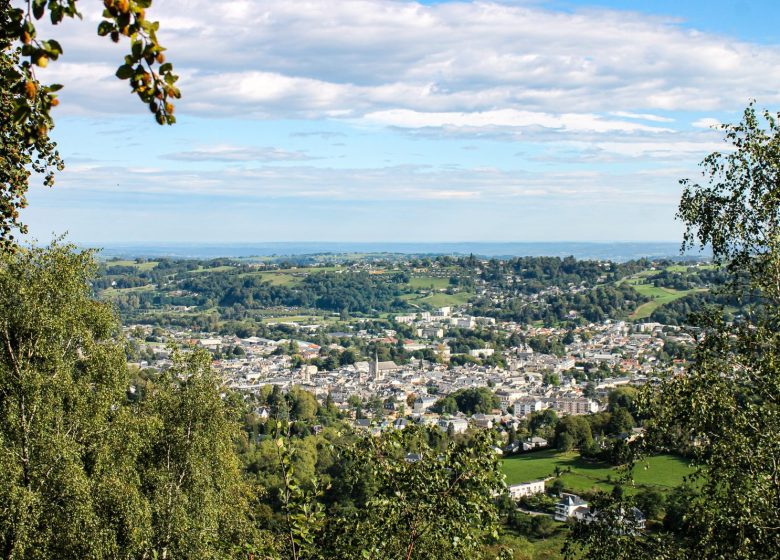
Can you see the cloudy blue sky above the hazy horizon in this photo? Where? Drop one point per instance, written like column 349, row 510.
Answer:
column 377, row 120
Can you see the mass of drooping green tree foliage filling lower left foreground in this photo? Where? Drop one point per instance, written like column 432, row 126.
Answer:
column 86, row 472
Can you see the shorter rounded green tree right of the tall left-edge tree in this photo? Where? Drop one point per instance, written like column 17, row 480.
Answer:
column 188, row 467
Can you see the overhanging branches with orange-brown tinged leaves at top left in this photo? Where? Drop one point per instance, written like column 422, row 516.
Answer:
column 26, row 104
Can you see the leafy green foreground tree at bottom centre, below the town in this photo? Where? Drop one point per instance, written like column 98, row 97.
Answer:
column 437, row 507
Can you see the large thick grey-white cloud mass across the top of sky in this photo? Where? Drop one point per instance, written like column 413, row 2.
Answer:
column 322, row 59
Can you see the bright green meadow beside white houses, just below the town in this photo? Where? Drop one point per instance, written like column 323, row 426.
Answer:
column 662, row 471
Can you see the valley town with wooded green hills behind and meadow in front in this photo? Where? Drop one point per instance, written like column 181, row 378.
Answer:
column 461, row 366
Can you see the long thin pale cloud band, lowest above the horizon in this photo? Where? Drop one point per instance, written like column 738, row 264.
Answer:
column 396, row 183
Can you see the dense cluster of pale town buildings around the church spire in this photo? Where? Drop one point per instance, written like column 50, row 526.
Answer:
column 523, row 386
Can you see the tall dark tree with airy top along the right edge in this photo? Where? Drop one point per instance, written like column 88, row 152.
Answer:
column 724, row 410
